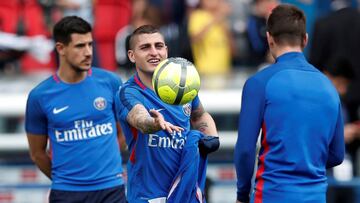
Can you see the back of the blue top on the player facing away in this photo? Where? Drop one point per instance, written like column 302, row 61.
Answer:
column 301, row 114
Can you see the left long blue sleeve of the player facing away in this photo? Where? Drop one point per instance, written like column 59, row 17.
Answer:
column 250, row 121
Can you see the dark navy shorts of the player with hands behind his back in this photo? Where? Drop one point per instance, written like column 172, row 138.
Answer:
column 109, row 195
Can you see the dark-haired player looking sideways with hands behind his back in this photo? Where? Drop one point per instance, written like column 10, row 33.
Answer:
column 74, row 109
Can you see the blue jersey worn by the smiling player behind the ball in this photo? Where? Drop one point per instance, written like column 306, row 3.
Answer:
column 154, row 158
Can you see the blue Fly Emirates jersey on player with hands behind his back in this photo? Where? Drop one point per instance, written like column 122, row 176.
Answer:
column 79, row 120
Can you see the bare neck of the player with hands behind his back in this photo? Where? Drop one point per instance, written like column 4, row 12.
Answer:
column 69, row 75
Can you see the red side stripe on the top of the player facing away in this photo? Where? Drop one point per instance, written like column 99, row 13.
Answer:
column 261, row 169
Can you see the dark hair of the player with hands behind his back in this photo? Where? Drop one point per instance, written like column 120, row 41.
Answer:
column 69, row 25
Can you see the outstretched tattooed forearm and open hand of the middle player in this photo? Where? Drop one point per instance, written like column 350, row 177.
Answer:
column 149, row 122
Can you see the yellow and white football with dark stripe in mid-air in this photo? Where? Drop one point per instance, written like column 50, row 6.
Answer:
column 176, row 81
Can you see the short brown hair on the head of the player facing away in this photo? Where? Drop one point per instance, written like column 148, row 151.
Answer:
column 287, row 25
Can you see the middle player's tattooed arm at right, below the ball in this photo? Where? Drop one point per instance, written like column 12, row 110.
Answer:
column 203, row 121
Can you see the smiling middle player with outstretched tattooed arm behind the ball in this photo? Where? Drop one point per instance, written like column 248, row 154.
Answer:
column 155, row 132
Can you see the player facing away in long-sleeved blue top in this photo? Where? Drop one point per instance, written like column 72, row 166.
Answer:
column 299, row 112
